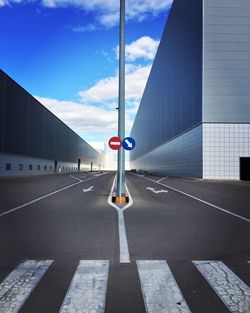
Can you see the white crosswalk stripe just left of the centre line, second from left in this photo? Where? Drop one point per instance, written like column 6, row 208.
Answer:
column 87, row 291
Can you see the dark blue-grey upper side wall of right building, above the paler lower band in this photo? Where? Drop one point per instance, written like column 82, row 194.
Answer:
column 172, row 100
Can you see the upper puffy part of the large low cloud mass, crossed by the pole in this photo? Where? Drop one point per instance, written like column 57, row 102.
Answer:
column 106, row 89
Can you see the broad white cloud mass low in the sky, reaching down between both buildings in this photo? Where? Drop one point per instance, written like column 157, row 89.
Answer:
column 96, row 114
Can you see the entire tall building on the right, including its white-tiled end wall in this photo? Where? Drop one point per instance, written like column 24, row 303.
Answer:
column 194, row 116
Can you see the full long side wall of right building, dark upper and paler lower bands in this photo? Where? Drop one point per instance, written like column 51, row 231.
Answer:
column 167, row 126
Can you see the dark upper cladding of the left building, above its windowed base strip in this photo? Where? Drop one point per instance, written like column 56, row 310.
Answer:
column 29, row 129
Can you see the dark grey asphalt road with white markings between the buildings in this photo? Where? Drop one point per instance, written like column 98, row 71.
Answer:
column 180, row 246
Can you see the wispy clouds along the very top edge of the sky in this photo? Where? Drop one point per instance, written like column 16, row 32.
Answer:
column 107, row 11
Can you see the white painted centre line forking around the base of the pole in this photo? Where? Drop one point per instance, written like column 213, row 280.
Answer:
column 123, row 242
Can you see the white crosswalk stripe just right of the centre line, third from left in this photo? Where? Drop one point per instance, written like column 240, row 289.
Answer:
column 160, row 291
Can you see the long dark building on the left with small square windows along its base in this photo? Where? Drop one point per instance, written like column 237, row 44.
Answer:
column 35, row 141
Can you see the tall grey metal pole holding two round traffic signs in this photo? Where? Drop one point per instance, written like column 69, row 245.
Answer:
column 121, row 110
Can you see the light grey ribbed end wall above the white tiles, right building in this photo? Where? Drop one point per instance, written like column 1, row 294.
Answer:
column 226, row 61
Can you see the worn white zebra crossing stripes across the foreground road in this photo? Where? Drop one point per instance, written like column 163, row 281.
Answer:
column 87, row 292
